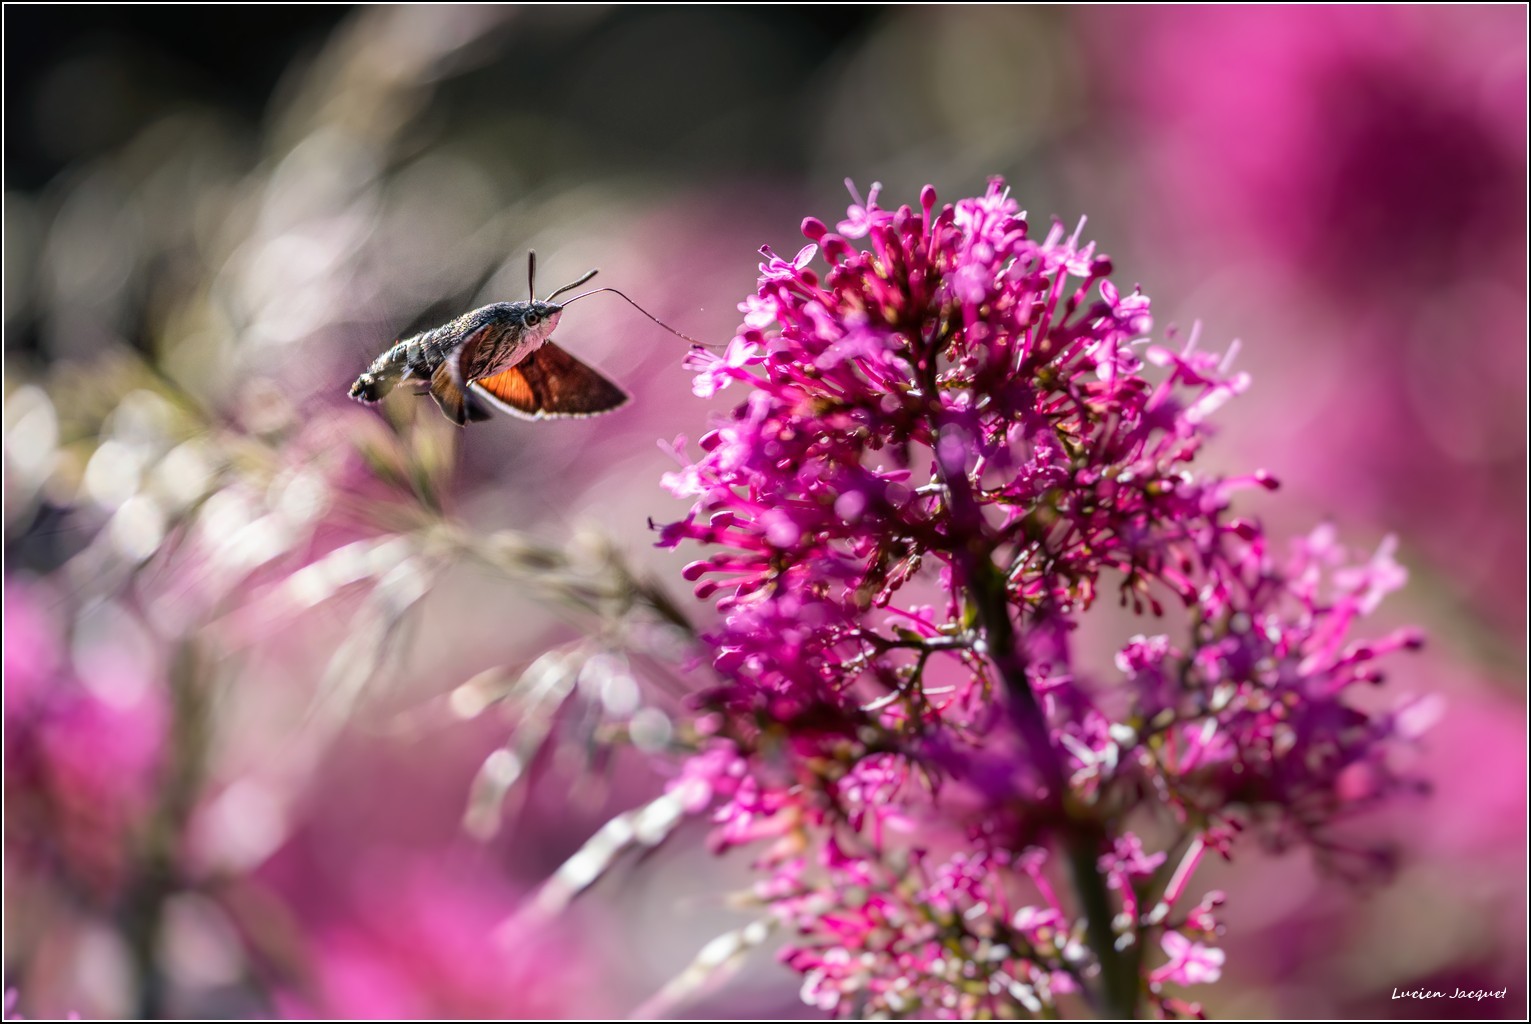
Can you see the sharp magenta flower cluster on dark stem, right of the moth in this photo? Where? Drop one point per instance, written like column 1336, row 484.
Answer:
column 953, row 442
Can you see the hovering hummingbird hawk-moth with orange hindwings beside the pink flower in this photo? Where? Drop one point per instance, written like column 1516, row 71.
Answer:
column 497, row 357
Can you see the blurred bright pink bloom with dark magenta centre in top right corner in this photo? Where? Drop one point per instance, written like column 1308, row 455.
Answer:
column 1373, row 146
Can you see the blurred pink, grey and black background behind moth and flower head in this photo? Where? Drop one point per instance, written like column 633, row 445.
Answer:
column 215, row 218
